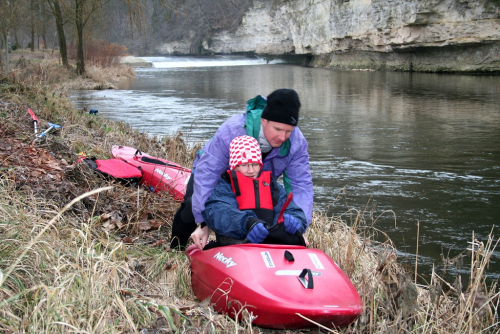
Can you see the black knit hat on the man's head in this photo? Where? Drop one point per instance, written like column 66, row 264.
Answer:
column 282, row 107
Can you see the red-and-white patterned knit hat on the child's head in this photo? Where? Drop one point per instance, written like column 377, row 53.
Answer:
column 244, row 150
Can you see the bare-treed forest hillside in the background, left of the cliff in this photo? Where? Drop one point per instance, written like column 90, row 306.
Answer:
column 139, row 25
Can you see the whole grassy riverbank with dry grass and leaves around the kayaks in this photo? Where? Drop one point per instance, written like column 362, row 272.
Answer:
column 79, row 253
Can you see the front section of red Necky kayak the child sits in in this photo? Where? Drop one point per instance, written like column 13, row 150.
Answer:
column 280, row 284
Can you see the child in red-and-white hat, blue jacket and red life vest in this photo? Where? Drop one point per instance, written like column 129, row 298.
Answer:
column 247, row 201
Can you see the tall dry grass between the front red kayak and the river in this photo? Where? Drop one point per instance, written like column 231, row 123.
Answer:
column 393, row 302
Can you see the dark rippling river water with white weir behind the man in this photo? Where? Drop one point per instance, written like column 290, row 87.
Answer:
column 421, row 148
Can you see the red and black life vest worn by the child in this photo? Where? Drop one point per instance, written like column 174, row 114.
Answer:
column 256, row 194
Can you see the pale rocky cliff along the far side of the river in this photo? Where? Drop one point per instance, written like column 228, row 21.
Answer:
column 419, row 35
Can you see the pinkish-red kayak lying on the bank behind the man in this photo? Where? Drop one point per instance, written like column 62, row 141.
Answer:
column 158, row 174
